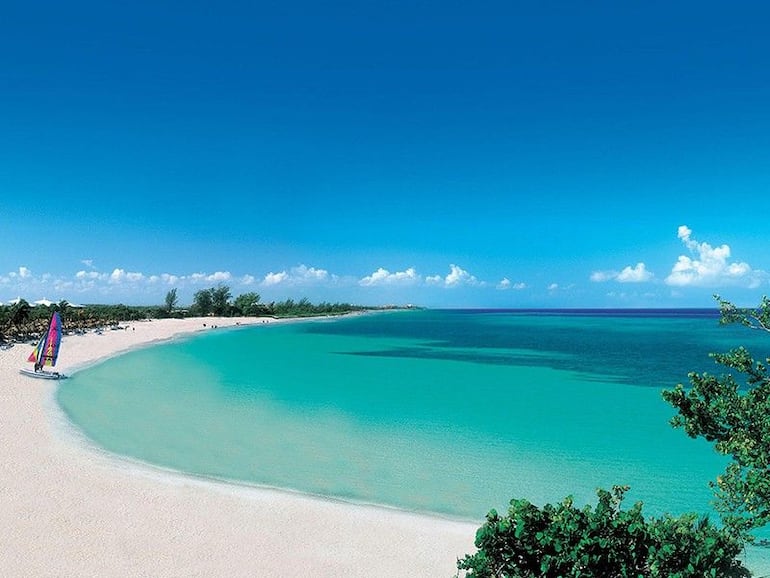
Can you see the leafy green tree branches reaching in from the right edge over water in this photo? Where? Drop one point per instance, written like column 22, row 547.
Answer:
column 733, row 412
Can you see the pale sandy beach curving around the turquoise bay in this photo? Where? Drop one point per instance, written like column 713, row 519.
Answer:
column 68, row 510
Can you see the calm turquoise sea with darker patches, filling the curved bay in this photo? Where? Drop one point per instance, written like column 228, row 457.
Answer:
column 445, row 412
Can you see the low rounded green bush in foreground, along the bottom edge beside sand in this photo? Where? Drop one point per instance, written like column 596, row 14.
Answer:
column 563, row 541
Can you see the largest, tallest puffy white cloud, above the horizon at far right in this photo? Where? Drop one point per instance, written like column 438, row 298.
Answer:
column 709, row 266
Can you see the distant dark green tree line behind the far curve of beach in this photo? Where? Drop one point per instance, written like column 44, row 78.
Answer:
column 21, row 321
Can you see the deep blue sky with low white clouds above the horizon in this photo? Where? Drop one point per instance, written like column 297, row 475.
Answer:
column 485, row 154
